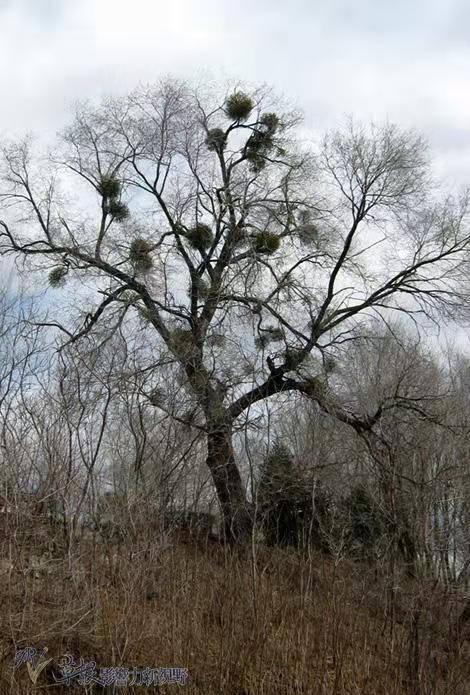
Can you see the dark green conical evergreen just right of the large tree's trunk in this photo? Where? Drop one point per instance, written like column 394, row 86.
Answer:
column 289, row 514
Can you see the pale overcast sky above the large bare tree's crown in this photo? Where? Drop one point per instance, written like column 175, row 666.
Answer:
column 408, row 60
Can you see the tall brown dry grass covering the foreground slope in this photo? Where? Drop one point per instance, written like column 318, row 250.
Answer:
column 266, row 623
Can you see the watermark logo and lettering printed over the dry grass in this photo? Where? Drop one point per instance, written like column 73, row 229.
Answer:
column 84, row 672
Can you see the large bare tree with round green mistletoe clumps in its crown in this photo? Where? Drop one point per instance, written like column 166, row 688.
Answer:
column 244, row 255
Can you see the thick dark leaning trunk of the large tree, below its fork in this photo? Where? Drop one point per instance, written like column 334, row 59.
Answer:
column 236, row 513
